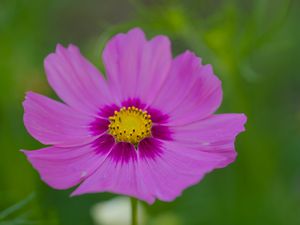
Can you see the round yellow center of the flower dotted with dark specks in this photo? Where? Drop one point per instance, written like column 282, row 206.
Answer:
column 130, row 125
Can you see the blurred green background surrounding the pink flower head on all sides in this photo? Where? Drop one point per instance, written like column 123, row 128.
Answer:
column 253, row 47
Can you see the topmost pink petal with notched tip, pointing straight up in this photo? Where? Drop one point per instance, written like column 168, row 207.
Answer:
column 136, row 67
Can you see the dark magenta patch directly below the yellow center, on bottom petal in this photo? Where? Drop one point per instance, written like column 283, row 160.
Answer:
column 123, row 152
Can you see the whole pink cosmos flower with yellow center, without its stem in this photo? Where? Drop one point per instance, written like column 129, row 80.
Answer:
column 146, row 131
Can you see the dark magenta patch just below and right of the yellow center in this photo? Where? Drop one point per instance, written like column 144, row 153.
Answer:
column 150, row 148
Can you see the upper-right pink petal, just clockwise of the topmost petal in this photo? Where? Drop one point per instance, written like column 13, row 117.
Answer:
column 191, row 92
